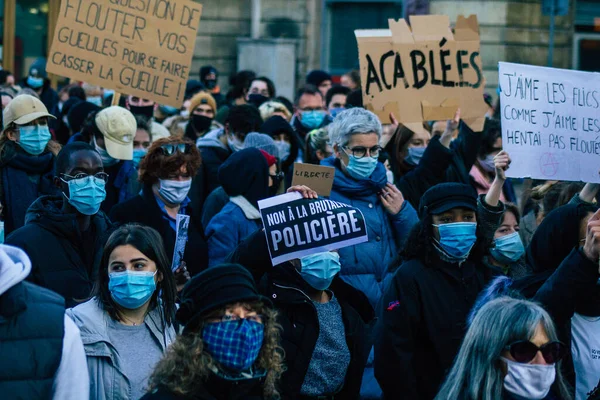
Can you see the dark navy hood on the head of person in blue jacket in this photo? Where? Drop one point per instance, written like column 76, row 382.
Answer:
column 246, row 173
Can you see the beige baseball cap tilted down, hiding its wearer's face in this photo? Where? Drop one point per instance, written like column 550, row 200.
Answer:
column 118, row 126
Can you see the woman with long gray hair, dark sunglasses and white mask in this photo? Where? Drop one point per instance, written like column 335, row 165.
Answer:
column 511, row 351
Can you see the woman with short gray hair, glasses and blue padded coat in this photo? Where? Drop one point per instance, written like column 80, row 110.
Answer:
column 361, row 181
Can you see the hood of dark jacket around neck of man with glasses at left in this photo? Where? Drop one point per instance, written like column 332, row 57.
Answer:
column 46, row 212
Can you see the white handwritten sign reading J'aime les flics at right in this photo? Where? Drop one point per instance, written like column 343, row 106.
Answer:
column 551, row 122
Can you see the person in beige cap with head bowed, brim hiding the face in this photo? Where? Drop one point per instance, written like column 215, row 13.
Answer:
column 112, row 132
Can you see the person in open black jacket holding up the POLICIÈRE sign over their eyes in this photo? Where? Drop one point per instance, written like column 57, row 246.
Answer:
column 326, row 322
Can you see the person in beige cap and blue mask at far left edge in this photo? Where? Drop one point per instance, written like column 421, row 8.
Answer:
column 27, row 158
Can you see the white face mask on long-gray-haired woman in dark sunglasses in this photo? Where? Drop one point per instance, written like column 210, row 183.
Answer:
column 528, row 381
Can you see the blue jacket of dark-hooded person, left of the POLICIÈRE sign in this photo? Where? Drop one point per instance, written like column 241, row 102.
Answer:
column 229, row 227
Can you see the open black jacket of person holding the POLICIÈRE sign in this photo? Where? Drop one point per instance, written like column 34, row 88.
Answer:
column 299, row 319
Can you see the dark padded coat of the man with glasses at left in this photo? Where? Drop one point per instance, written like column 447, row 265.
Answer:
column 64, row 259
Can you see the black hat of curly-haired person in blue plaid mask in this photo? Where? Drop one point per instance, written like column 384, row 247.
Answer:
column 214, row 288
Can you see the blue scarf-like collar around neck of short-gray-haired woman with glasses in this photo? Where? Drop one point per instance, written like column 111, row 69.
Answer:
column 351, row 187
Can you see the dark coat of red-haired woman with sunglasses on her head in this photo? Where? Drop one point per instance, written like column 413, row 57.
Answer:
column 143, row 209
